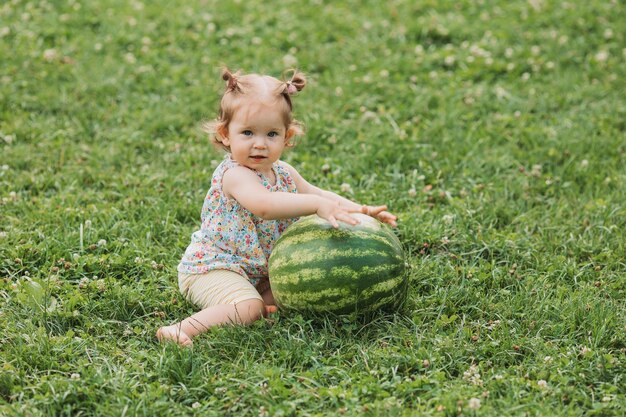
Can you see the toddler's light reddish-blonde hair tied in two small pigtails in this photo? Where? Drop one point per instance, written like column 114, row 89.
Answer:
column 260, row 88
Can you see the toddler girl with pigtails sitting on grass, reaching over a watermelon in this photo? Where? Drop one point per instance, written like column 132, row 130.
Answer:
column 253, row 197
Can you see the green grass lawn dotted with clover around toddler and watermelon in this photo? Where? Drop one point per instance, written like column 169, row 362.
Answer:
column 495, row 131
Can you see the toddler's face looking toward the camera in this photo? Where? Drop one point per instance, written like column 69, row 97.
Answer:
column 257, row 136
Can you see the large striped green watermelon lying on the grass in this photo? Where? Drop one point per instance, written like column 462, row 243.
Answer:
column 352, row 270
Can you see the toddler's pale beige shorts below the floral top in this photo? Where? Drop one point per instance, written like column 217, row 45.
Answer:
column 219, row 286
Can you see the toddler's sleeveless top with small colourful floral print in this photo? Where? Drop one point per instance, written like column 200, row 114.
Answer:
column 230, row 236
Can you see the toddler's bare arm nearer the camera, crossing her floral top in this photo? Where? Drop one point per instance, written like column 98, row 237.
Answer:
column 243, row 185
